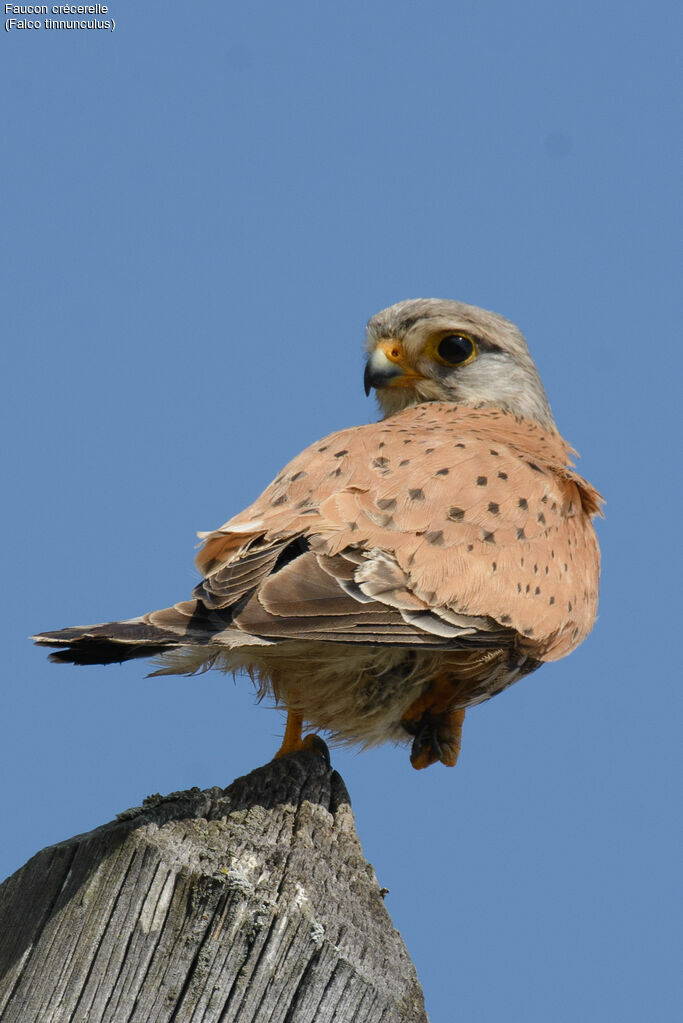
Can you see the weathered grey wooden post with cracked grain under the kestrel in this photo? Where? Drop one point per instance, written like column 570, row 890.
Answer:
column 247, row 904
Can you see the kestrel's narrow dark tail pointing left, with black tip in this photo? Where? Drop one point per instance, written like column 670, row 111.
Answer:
column 188, row 625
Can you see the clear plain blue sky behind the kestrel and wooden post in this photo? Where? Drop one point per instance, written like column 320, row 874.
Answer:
column 200, row 213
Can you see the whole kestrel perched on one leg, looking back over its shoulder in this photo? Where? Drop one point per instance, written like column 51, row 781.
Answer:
column 398, row 572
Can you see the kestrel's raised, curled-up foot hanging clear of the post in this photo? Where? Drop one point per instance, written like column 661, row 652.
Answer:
column 437, row 728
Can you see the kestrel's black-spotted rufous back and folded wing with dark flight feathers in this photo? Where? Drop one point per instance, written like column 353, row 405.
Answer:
column 440, row 525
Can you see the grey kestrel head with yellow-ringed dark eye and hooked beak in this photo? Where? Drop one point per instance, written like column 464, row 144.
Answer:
column 439, row 350
